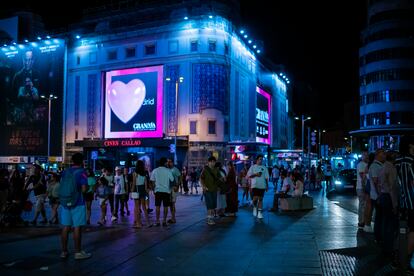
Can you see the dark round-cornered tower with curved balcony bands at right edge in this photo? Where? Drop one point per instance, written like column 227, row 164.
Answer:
column 387, row 73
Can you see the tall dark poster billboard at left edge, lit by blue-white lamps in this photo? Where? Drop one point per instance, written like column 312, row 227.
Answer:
column 28, row 72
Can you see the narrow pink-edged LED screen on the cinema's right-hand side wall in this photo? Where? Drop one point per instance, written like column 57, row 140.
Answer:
column 263, row 110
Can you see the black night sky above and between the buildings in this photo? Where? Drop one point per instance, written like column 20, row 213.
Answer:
column 317, row 41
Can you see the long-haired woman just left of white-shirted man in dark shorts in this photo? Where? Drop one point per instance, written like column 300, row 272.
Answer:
column 140, row 190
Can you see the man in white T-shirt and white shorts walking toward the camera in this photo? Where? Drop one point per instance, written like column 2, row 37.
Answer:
column 259, row 176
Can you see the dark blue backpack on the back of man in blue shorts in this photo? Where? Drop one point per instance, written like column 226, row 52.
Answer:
column 68, row 189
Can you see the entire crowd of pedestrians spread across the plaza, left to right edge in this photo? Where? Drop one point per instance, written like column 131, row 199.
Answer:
column 385, row 188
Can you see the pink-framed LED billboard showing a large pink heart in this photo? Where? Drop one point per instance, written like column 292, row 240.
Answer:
column 133, row 103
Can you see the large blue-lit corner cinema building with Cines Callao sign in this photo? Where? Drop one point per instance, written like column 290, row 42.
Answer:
column 144, row 81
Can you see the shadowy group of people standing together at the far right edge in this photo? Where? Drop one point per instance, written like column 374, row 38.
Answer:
column 385, row 187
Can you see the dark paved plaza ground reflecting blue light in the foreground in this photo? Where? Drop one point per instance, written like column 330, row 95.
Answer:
column 322, row 241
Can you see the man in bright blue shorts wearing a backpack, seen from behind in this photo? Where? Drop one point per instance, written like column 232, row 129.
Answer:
column 73, row 183
